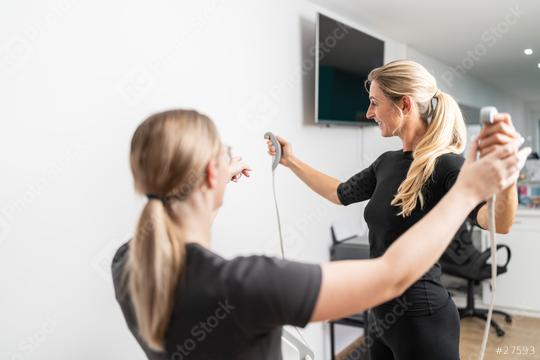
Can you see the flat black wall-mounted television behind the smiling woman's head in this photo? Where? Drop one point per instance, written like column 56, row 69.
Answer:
column 345, row 56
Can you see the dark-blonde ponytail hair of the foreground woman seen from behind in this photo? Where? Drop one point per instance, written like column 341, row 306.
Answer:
column 169, row 152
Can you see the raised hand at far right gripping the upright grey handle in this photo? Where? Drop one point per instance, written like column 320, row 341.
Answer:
column 501, row 132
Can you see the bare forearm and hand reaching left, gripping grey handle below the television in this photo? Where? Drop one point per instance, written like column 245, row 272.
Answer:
column 324, row 185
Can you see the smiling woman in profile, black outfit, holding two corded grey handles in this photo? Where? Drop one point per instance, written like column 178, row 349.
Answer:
column 402, row 187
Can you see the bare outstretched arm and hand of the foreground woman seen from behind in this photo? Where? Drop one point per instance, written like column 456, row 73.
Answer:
column 350, row 287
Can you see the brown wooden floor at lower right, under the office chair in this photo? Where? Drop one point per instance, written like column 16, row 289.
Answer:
column 523, row 332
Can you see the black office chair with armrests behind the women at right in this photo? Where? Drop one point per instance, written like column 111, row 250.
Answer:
column 463, row 260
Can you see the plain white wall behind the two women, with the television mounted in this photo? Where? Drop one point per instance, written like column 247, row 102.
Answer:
column 77, row 78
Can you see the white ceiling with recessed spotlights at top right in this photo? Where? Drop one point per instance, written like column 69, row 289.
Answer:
column 448, row 30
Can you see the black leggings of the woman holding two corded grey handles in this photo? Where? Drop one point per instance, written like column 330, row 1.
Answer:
column 428, row 337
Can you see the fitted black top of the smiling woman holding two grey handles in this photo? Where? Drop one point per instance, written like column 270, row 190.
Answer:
column 379, row 184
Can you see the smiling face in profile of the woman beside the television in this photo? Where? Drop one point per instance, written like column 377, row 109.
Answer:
column 383, row 111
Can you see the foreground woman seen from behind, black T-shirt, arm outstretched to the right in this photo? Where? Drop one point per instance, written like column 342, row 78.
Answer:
column 181, row 300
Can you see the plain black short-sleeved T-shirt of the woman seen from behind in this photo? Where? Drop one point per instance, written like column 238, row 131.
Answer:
column 229, row 309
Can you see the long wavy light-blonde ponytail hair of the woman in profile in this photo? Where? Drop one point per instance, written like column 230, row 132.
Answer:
column 446, row 132
